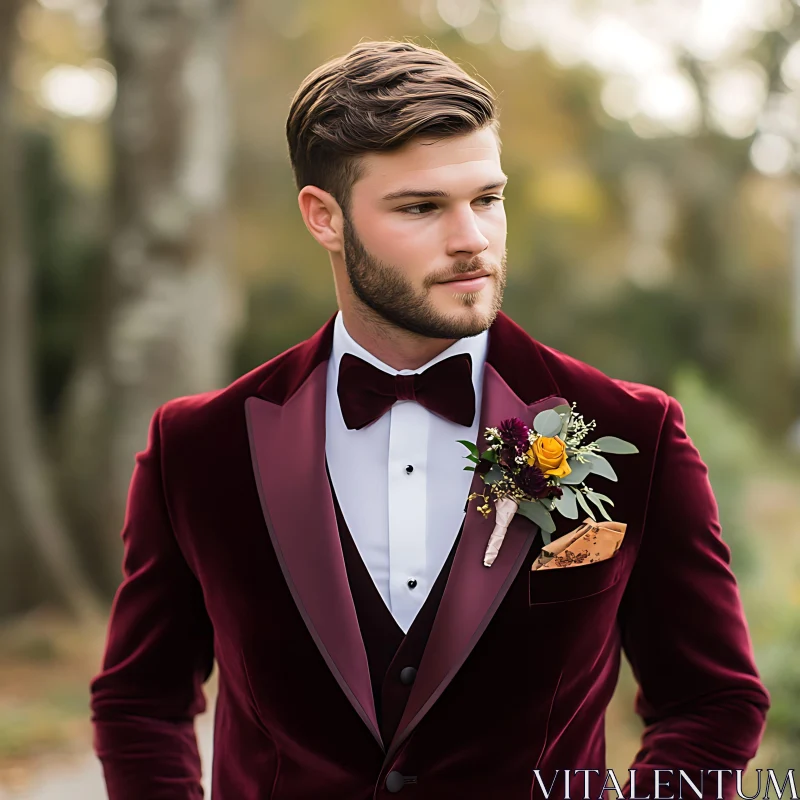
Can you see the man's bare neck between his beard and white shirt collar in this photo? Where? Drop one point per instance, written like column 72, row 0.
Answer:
column 398, row 348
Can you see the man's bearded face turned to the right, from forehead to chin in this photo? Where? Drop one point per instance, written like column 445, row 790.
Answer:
column 402, row 252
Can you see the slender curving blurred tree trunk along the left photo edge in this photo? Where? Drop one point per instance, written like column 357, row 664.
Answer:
column 29, row 510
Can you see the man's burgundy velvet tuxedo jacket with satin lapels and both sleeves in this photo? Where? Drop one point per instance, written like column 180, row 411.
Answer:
column 232, row 552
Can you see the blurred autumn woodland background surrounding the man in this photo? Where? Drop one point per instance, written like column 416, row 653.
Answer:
column 151, row 246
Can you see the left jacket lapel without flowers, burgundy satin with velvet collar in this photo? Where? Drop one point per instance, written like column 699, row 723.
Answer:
column 287, row 447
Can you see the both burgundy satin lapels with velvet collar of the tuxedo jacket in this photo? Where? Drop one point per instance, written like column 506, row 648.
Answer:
column 286, row 427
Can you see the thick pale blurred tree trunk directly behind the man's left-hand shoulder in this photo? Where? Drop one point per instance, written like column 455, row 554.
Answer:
column 166, row 316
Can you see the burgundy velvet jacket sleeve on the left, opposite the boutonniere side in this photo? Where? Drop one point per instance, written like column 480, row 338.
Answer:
column 159, row 652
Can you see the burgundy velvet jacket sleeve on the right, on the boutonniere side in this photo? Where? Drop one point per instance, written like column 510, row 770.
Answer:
column 685, row 635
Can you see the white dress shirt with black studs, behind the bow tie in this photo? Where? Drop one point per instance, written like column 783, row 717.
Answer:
column 403, row 524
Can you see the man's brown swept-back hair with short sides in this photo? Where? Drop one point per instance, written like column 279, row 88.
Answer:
column 376, row 98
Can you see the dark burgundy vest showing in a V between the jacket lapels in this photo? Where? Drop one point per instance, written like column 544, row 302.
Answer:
column 390, row 652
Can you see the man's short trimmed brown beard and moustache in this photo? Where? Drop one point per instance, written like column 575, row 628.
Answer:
column 390, row 295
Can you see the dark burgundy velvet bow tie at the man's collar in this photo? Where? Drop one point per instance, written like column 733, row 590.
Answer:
column 366, row 393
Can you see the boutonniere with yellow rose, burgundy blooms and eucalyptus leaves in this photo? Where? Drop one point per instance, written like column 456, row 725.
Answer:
column 540, row 469
